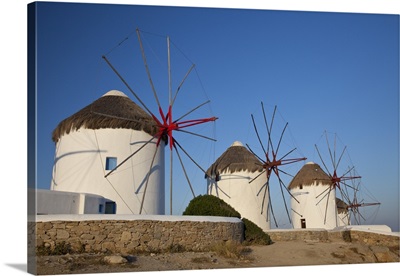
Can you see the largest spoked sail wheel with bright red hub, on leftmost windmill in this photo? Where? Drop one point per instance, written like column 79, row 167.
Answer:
column 165, row 123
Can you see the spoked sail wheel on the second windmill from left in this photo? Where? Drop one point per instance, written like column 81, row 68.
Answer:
column 273, row 162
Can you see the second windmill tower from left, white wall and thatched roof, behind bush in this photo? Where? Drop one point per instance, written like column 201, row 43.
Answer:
column 228, row 179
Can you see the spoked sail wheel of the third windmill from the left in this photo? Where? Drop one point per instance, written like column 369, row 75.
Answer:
column 339, row 174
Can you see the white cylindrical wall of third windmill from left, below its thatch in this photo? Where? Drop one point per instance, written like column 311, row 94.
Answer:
column 309, row 209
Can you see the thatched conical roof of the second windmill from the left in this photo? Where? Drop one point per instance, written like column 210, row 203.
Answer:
column 236, row 158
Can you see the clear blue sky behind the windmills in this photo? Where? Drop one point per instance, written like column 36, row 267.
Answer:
column 337, row 72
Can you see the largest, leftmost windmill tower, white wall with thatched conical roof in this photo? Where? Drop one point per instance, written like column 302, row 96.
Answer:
column 90, row 145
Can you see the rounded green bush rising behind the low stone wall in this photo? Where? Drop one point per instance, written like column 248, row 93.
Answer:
column 209, row 205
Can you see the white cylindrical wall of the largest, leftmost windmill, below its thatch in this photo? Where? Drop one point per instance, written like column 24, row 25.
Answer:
column 79, row 166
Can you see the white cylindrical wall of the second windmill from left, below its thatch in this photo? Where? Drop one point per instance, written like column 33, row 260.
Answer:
column 244, row 197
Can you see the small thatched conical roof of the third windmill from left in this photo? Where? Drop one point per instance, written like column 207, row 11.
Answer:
column 309, row 174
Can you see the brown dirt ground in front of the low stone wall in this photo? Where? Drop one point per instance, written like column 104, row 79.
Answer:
column 296, row 253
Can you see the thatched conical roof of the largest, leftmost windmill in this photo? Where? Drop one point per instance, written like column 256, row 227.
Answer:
column 113, row 110
